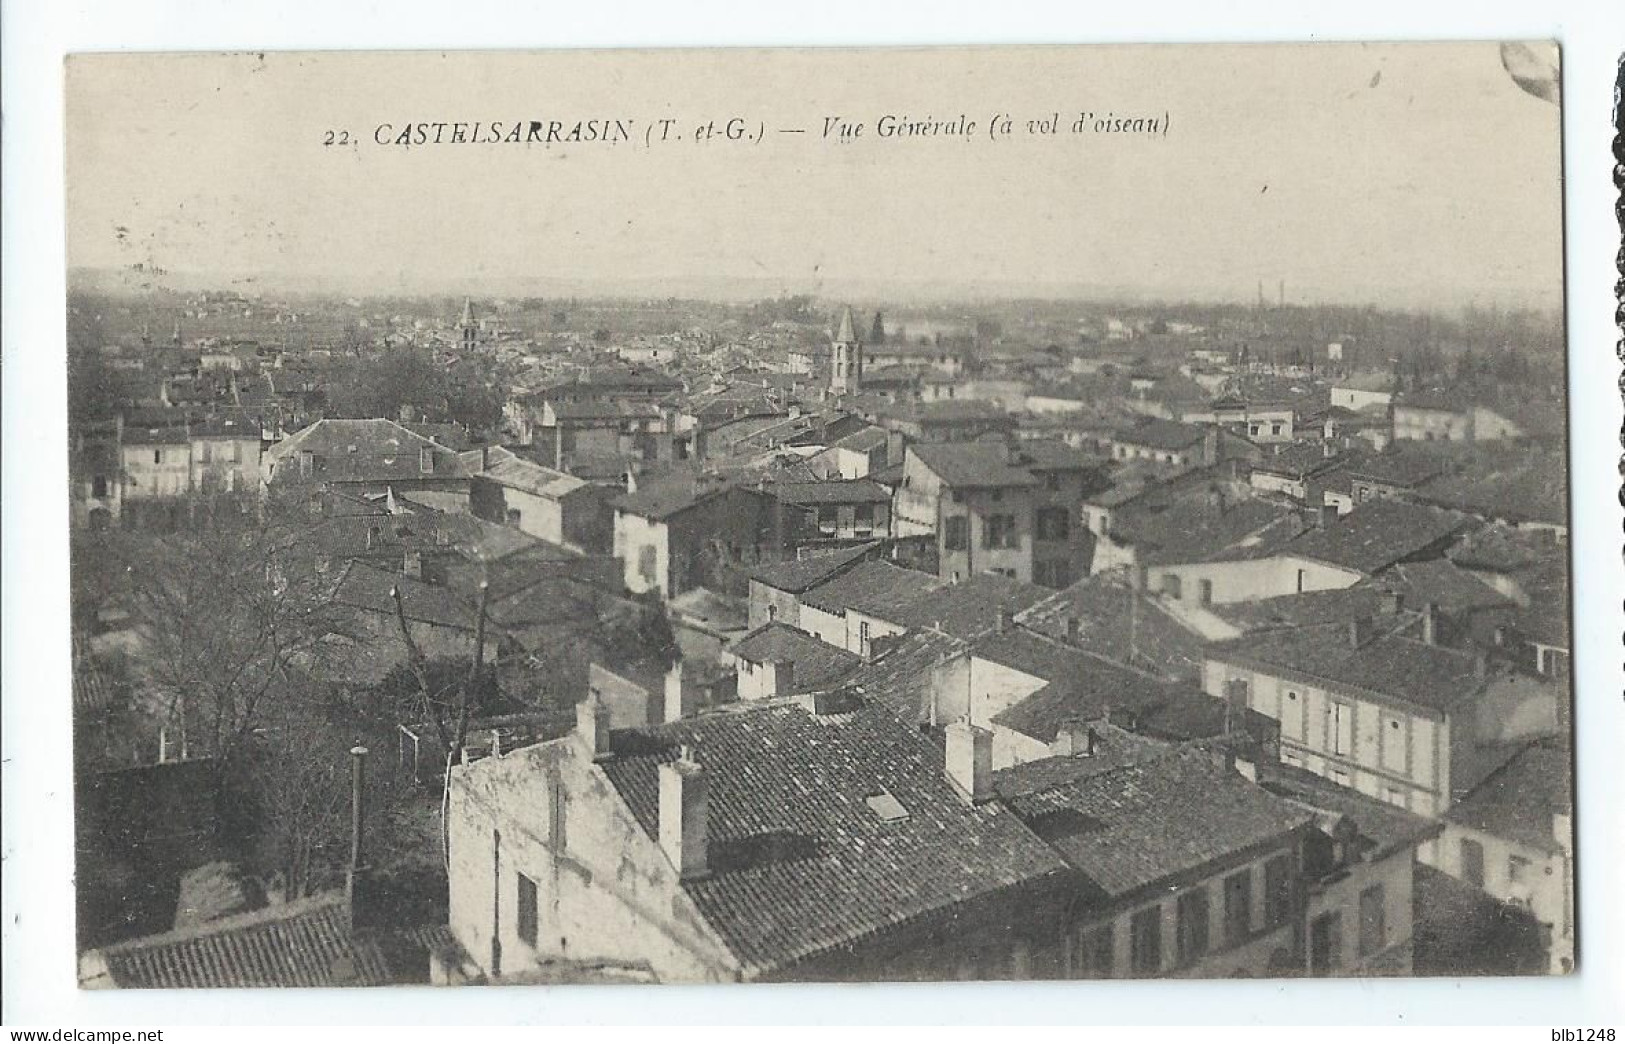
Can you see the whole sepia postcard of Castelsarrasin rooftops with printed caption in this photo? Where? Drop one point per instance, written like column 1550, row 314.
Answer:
column 899, row 515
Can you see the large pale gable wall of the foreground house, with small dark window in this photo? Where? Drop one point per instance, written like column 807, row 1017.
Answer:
column 604, row 887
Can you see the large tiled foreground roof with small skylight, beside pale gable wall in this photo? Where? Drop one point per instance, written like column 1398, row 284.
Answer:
column 800, row 863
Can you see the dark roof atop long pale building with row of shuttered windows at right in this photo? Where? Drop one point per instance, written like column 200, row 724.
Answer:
column 1393, row 666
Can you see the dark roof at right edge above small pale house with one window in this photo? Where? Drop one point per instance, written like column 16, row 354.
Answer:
column 1519, row 801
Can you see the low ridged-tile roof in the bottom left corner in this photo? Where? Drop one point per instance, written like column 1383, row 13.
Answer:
column 308, row 942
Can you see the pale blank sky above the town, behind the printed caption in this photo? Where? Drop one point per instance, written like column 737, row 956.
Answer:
column 1406, row 175
